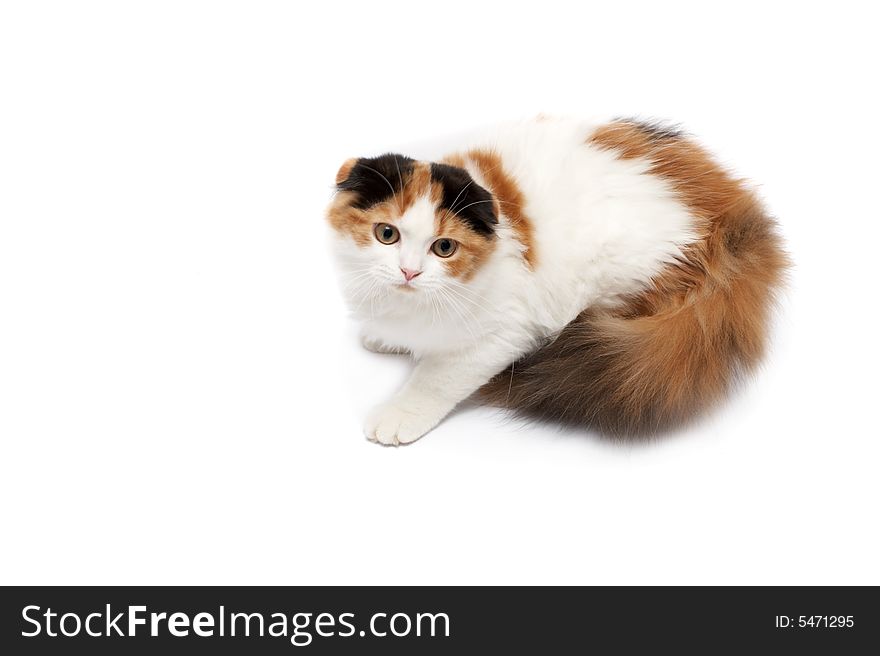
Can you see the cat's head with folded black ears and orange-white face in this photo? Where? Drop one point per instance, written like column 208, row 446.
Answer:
column 408, row 227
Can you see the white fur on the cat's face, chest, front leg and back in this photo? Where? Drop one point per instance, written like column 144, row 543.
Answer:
column 603, row 228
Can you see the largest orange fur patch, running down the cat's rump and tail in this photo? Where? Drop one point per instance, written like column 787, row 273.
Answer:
column 714, row 304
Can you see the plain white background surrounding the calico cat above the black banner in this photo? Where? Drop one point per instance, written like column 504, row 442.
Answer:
column 181, row 391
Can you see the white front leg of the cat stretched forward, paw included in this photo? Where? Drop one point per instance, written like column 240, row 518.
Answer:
column 438, row 383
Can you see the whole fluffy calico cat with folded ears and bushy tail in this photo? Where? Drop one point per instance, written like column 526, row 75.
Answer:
column 612, row 276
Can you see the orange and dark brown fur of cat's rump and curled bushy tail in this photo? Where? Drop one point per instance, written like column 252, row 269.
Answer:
column 677, row 348
